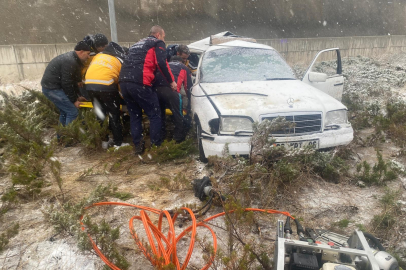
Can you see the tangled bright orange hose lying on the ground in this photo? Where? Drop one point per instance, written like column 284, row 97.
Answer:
column 162, row 256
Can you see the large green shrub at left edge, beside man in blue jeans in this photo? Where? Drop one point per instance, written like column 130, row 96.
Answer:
column 22, row 123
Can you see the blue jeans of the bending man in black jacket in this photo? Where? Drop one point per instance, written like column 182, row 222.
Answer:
column 68, row 111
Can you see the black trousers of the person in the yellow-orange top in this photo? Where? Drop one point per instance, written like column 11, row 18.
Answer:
column 109, row 104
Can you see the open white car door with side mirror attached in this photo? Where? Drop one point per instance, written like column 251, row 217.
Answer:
column 325, row 73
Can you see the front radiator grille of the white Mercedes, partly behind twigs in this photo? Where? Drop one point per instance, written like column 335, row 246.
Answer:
column 304, row 123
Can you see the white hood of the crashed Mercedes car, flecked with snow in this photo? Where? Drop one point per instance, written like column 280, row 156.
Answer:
column 256, row 98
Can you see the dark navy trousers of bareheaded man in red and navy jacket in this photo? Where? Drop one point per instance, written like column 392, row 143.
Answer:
column 138, row 98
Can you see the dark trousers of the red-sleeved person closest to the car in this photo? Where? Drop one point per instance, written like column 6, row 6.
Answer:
column 173, row 101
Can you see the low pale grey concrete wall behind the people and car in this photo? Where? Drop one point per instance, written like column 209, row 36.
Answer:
column 28, row 62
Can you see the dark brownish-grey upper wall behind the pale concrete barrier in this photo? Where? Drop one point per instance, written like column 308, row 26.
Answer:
column 68, row 21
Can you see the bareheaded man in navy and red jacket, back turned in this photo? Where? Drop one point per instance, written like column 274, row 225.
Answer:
column 137, row 74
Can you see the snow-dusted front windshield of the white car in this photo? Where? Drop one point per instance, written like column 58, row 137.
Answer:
column 244, row 64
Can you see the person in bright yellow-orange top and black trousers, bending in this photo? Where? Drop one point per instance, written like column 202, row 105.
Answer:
column 101, row 82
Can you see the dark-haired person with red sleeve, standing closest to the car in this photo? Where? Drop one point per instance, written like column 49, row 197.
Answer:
column 173, row 99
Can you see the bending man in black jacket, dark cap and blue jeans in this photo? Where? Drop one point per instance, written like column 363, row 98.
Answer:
column 60, row 82
